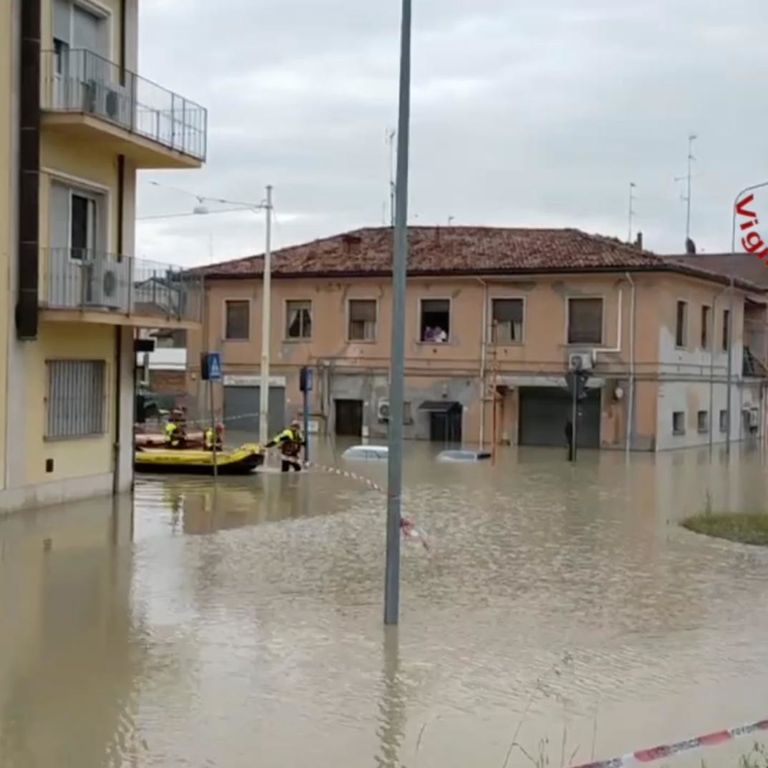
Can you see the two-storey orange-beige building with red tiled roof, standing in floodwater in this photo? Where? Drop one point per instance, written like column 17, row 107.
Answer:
column 494, row 319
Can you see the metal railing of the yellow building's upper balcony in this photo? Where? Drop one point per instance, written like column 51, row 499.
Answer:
column 81, row 81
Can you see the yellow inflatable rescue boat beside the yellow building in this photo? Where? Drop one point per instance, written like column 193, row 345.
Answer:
column 239, row 461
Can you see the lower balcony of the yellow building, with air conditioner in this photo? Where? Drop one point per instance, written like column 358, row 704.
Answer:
column 103, row 288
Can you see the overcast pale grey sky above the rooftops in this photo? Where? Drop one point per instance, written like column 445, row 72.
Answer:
column 525, row 113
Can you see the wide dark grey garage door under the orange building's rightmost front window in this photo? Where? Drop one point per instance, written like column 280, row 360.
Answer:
column 544, row 412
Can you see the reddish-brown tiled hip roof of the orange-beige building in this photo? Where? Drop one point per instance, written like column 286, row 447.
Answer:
column 455, row 250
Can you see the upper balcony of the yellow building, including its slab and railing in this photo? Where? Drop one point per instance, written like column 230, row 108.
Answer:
column 88, row 96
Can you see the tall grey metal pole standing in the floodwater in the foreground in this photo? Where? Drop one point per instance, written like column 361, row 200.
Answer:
column 397, row 369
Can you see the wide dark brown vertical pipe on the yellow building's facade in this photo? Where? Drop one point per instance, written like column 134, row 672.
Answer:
column 28, row 254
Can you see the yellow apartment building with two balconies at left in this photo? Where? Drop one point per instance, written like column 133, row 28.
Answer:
column 81, row 123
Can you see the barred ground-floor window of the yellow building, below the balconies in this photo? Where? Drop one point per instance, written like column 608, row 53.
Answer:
column 75, row 398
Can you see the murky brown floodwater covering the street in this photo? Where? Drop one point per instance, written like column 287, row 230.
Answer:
column 560, row 606
